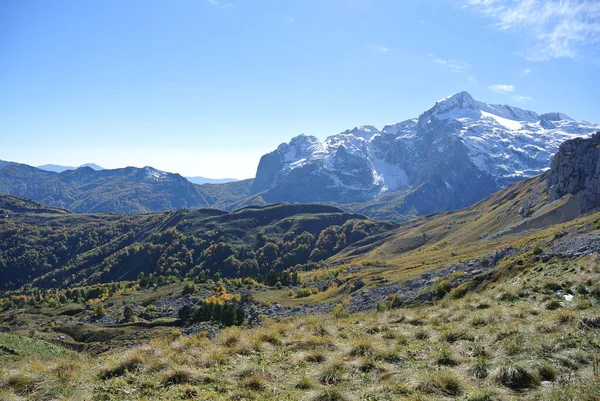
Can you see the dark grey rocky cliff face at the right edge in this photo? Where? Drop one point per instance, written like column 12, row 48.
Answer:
column 575, row 168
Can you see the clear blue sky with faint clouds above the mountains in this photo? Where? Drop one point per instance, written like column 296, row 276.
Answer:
column 206, row 87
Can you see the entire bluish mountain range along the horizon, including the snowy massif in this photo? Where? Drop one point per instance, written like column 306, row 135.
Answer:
column 453, row 155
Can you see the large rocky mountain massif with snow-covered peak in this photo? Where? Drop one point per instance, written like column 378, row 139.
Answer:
column 453, row 155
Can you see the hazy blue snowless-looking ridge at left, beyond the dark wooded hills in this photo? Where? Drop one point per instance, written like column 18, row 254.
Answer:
column 85, row 190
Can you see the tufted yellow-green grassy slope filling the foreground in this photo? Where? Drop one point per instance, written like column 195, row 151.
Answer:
column 500, row 343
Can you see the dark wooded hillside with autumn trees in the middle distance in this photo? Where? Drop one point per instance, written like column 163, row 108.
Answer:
column 65, row 249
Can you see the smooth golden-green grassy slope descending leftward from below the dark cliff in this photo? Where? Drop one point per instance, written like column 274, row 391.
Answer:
column 435, row 241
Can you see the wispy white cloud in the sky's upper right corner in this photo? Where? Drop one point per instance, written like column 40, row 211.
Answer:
column 556, row 28
